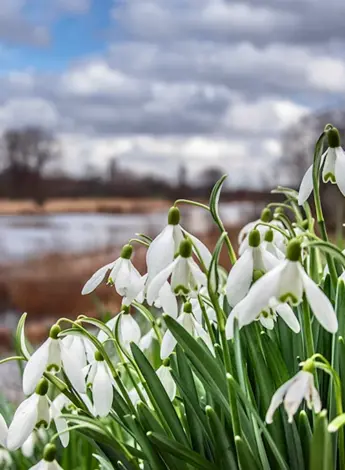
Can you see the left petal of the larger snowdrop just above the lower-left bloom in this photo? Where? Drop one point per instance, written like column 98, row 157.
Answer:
column 36, row 367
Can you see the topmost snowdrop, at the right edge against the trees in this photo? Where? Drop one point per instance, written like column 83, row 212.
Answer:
column 333, row 161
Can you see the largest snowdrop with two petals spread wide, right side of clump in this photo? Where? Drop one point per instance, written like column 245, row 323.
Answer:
column 286, row 283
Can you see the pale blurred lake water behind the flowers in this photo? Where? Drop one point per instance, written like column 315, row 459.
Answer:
column 28, row 236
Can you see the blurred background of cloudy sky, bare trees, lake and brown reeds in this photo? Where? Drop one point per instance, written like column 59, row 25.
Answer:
column 112, row 109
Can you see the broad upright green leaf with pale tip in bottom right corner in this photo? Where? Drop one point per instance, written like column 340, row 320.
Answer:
column 321, row 449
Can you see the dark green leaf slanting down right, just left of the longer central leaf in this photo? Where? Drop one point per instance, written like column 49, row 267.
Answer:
column 162, row 401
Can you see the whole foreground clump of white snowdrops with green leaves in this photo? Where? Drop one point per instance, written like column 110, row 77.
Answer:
column 194, row 367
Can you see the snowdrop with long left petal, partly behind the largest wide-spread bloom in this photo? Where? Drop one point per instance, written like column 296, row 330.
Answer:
column 254, row 259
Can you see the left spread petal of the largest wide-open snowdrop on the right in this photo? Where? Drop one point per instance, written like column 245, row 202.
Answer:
column 260, row 294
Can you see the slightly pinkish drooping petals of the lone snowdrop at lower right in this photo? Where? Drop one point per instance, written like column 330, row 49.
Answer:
column 300, row 387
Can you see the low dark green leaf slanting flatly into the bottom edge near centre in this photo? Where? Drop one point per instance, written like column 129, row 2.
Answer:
column 180, row 451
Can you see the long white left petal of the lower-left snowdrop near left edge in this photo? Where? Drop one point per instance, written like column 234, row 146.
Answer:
column 23, row 423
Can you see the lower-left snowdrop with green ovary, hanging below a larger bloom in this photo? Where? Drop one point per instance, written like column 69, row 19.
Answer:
column 32, row 412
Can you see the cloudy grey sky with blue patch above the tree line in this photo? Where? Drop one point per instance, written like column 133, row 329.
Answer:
column 157, row 82
